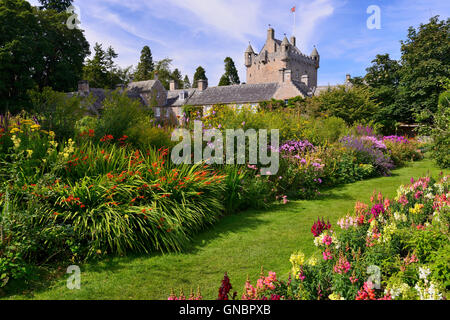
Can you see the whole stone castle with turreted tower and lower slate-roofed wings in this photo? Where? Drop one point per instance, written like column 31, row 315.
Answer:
column 280, row 71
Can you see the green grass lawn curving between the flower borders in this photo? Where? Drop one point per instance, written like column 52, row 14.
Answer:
column 238, row 244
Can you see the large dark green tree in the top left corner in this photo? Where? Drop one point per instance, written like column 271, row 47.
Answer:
column 36, row 50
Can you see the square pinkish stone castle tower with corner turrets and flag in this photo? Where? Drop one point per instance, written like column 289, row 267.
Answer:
column 281, row 57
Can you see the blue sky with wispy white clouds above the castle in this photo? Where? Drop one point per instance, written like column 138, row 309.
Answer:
column 204, row 32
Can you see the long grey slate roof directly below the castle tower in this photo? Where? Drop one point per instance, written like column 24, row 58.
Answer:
column 243, row 93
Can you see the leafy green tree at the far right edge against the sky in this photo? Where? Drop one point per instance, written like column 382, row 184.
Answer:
column 425, row 65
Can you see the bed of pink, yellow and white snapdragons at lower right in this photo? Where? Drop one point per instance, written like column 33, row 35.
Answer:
column 388, row 249
